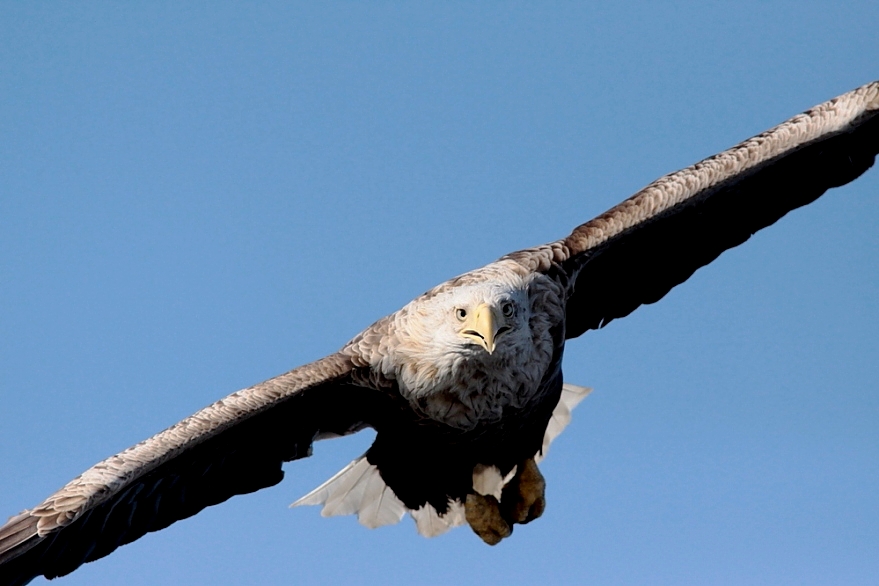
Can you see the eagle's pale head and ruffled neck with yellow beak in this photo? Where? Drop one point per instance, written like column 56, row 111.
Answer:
column 467, row 349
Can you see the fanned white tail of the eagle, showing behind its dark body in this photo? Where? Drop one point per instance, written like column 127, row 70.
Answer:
column 359, row 489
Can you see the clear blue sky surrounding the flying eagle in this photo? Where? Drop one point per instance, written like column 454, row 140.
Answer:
column 197, row 197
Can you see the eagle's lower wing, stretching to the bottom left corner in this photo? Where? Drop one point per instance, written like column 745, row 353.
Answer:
column 235, row 446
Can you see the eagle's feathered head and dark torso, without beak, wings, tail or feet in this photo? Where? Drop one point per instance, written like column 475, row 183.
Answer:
column 464, row 407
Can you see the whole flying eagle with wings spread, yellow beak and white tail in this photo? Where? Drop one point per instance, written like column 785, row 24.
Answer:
column 463, row 385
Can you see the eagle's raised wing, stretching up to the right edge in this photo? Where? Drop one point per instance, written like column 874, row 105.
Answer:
column 637, row 251
